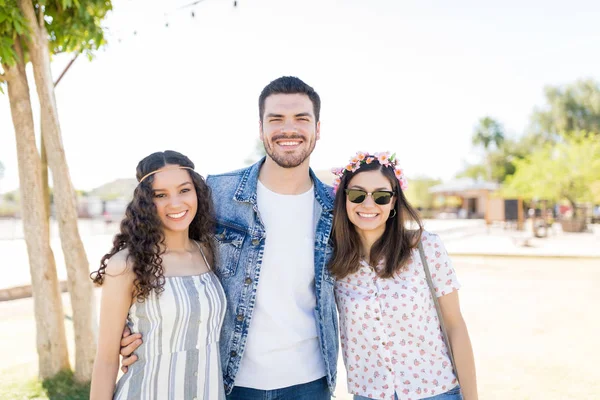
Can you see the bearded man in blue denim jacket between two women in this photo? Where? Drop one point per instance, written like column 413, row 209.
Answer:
column 280, row 336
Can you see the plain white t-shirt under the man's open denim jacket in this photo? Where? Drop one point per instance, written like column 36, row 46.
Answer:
column 282, row 348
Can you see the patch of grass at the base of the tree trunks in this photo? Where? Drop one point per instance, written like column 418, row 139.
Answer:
column 62, row 387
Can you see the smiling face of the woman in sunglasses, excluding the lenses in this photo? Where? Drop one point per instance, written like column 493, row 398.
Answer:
column 368, row 217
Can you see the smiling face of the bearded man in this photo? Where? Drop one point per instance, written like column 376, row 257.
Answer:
column 288, row 130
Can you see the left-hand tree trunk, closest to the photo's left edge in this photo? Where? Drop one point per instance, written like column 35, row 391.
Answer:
column 50, row 329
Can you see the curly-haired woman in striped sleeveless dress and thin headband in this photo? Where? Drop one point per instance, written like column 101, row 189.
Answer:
column 157, row 277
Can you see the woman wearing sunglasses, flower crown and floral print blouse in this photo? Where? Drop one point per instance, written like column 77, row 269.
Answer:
column 393, row 341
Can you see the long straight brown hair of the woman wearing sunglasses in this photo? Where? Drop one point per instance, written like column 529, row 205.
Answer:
column 394, row 246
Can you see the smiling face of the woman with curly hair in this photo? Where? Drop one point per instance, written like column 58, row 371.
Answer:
column 175, row 198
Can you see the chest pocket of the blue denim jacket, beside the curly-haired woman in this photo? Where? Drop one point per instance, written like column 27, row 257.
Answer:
column 229, row 241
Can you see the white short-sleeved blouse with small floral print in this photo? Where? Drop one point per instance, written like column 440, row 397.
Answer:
column 390, row 333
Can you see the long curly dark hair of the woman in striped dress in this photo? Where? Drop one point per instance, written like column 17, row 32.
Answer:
column 141, row 231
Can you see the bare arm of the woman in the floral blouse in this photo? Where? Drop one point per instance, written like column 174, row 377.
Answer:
column 461, row 344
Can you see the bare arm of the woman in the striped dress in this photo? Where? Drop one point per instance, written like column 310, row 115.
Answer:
column 117, row 292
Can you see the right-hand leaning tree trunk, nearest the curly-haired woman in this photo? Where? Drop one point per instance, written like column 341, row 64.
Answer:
column 80, row 285
